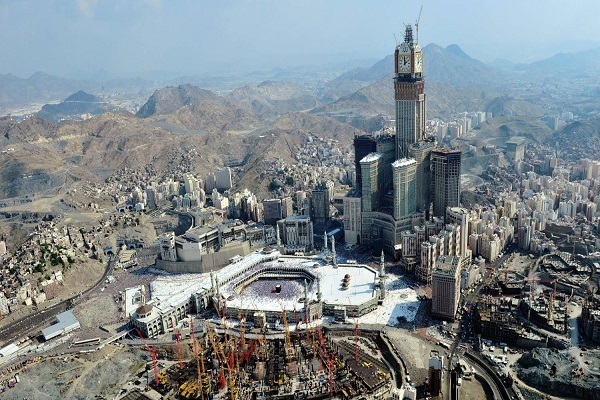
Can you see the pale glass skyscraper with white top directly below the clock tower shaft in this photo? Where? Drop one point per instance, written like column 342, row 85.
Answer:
column 405, row 201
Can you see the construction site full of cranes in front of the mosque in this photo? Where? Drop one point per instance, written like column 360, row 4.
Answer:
column 235, row 362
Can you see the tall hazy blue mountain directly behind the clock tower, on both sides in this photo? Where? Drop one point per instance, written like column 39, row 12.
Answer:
column 455, row 82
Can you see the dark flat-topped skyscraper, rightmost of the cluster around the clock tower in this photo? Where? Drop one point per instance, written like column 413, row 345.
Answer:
column 445, row 179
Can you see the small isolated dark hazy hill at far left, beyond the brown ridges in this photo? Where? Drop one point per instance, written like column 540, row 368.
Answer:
column 74, row 106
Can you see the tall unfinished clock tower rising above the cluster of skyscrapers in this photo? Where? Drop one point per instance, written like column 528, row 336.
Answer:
column 409, row 92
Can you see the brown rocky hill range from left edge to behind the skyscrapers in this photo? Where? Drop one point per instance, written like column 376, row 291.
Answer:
column 43, row 158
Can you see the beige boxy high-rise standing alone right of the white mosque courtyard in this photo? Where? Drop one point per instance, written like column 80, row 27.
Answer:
column 445, row 287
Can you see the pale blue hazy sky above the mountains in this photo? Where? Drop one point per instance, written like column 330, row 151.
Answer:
column 67, row 37
